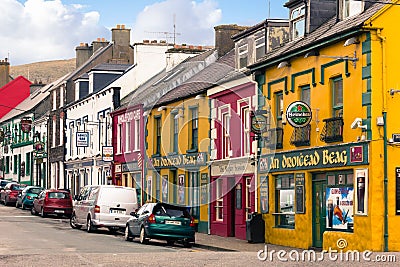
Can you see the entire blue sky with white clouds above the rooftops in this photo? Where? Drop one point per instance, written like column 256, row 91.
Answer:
column 40, row 30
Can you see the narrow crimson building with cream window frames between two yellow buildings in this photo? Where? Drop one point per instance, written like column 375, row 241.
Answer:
column 232, row 174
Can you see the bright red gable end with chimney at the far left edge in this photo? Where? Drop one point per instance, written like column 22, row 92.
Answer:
column 11, row 92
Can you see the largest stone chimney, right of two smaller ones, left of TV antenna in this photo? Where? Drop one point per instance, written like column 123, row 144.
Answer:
column 121, row 38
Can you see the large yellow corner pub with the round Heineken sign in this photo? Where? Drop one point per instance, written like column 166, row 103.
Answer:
column 329, row 170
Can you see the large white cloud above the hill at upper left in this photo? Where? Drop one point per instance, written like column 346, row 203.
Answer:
column 45, row 30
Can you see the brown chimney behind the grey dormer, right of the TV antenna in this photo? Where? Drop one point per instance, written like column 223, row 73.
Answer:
column 223, row 40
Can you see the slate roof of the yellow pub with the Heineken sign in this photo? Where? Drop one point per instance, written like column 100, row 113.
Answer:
column 328, row 30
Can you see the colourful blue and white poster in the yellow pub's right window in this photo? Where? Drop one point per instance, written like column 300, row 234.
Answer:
column 339, row 207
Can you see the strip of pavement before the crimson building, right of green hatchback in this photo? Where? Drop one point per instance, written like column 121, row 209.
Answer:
column 219, row 243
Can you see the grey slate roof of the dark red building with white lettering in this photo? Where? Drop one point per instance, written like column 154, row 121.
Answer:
column 159, row 85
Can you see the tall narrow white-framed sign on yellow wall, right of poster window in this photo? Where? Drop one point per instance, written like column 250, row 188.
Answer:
column 361, row 194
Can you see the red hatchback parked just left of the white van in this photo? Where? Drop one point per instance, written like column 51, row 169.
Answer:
column 53, row 201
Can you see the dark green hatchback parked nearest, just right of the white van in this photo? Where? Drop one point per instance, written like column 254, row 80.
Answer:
column 161, row 221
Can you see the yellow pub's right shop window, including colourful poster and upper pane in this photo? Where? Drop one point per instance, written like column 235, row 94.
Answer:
column 339, row 201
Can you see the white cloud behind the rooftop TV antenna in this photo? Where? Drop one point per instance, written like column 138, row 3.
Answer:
column 194, row 21
